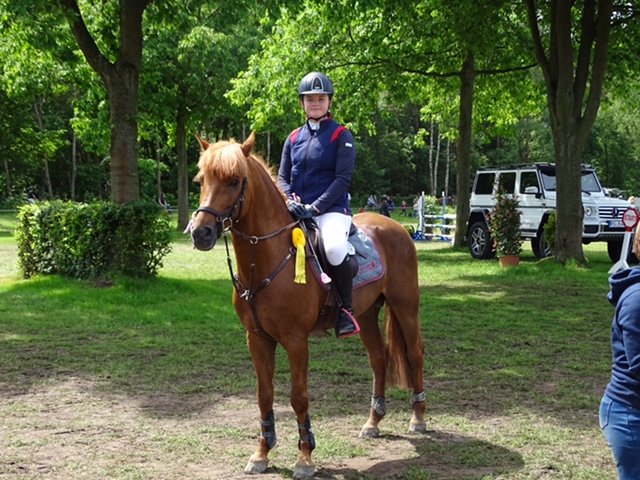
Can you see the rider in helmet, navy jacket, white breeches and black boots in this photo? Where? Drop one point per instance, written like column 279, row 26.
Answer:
column 315, row 173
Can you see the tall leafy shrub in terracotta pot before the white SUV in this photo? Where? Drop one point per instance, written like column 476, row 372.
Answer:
column 504, row 225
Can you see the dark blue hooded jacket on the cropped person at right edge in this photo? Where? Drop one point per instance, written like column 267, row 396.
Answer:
column 624, row 385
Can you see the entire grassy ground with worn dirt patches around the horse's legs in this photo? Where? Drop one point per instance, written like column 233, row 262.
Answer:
column 152, row 379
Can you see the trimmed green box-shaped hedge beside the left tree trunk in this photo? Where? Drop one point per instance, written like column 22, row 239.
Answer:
column 82, row 240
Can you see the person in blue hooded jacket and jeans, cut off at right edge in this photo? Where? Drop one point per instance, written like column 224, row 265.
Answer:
column 620, row 405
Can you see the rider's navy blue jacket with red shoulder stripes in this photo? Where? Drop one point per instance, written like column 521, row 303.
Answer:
column 317, row 166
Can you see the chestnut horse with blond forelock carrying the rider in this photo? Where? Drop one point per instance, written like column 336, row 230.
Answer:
column 239, row 194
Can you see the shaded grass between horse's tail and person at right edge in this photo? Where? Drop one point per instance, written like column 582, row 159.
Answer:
column 511, row 342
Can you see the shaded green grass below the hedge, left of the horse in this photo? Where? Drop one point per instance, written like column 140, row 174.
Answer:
column 159, row 336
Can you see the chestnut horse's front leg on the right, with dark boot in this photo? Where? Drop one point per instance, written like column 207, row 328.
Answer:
column 298, row 354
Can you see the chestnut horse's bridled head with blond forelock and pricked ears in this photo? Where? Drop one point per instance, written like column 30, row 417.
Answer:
column 222, row 176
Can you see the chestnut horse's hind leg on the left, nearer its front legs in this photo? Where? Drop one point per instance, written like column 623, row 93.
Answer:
column 374, row 343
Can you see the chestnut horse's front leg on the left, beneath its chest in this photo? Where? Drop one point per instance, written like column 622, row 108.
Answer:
column 262, row 351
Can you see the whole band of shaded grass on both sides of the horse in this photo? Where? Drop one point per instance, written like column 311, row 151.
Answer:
column 495, row 344
